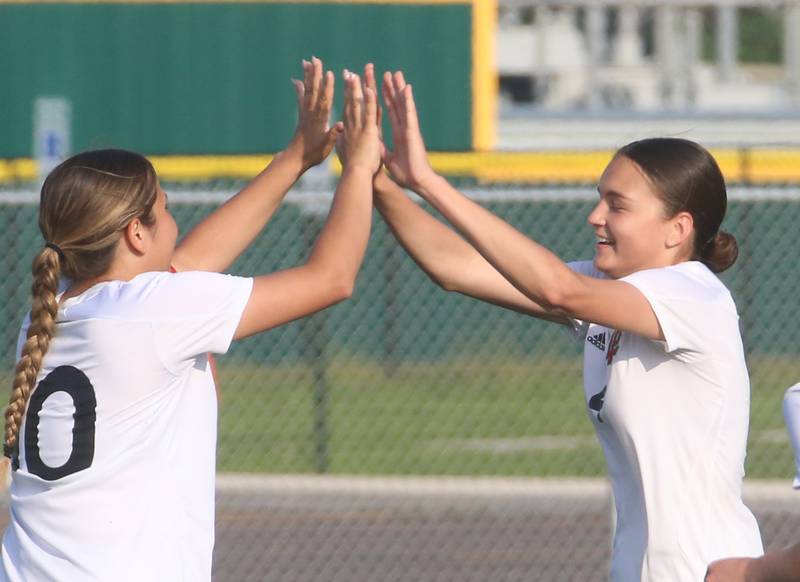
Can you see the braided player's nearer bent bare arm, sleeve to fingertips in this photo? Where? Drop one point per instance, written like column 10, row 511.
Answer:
column 330, row 272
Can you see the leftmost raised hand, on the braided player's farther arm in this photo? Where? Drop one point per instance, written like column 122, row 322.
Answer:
column 314, row 137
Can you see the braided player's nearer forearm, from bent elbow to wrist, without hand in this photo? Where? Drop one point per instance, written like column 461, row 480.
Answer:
column 340, row 247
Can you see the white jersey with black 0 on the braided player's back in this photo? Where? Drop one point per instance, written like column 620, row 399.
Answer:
column 115, row 476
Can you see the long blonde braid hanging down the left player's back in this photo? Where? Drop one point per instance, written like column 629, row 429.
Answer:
column 46, row 274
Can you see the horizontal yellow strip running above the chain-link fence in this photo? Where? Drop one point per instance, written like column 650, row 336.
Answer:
column 757, row 165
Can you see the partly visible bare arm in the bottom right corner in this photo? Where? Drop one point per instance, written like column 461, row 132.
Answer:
column 778, row 566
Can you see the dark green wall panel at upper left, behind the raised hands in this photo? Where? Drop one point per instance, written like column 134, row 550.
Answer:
column 180, row 78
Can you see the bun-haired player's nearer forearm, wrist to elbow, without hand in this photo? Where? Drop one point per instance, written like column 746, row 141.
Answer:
column 530, row 267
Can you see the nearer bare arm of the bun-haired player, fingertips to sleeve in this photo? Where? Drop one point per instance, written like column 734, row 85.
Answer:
column 531, row 268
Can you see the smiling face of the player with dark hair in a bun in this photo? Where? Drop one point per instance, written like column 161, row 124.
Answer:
column 633, row 233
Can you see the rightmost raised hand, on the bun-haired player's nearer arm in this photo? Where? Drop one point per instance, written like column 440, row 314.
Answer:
column 408, row 163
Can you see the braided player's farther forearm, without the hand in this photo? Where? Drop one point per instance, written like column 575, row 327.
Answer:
column 216, row 242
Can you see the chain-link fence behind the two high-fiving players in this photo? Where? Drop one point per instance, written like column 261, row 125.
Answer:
column 411, row 434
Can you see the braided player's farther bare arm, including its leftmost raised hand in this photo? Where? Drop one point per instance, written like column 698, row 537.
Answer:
column 216, row 242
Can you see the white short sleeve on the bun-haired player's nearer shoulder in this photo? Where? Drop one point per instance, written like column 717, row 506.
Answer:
column 690, row 307
